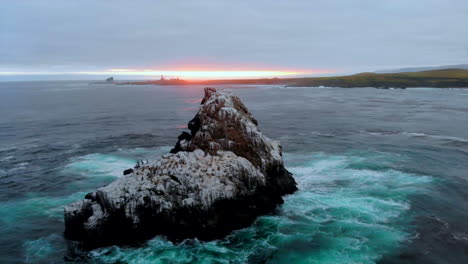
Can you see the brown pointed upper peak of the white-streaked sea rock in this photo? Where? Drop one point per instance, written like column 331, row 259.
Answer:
column 224, row 123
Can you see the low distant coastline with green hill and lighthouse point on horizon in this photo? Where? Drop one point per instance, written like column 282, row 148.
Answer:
column 443, row 78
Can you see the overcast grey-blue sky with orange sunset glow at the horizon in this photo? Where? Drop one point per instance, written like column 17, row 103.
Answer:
column 89, row 38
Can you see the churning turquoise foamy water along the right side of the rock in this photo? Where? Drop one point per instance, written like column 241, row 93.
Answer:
column 344, row 212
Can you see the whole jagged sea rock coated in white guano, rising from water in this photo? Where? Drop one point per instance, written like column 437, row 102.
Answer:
column 218, row 178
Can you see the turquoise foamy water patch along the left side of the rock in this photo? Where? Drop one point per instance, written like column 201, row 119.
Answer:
column 37, row 214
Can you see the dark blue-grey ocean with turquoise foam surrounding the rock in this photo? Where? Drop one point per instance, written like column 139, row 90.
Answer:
column 382, row 174
